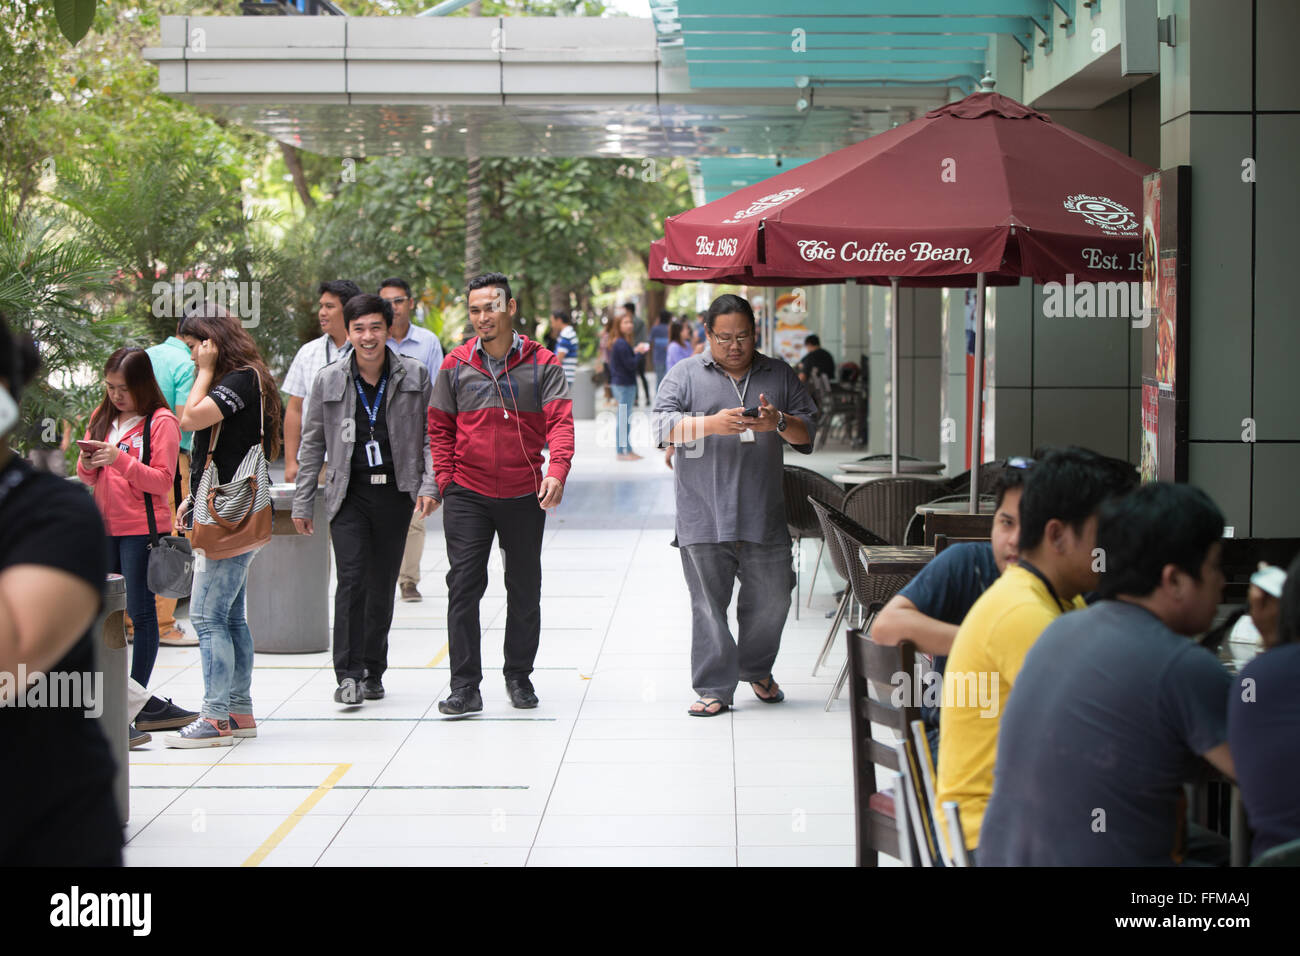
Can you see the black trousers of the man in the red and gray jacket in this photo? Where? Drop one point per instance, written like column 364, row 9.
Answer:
column 470, row 522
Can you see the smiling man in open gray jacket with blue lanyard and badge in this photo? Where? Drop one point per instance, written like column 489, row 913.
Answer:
column 369, row 412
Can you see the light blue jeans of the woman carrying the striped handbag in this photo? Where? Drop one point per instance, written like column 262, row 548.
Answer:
column 226, row 642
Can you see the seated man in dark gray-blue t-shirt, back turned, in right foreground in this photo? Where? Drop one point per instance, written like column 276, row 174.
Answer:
column 1115, row 708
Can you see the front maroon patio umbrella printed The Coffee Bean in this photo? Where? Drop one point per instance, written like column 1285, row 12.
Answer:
column 985, row 185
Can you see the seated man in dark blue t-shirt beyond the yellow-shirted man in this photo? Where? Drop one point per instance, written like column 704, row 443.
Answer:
column 929, row 611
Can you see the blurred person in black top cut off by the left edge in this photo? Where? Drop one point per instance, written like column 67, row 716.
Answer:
column 57, row 804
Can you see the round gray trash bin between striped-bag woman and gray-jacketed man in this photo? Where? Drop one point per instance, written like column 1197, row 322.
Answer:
column 288, row 596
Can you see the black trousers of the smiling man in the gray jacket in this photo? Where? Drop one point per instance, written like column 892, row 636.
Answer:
column 370, row 537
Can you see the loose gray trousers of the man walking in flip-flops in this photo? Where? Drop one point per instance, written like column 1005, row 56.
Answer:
column 766, row 581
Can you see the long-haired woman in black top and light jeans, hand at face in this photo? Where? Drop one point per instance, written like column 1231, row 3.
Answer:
column 232, row 388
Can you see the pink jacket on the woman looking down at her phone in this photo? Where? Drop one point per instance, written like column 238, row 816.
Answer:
column 122, row 487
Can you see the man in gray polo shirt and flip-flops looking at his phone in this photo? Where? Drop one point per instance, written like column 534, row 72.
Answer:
column 731, row 513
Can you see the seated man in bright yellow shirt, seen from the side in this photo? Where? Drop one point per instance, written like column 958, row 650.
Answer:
column 1058, row 564
